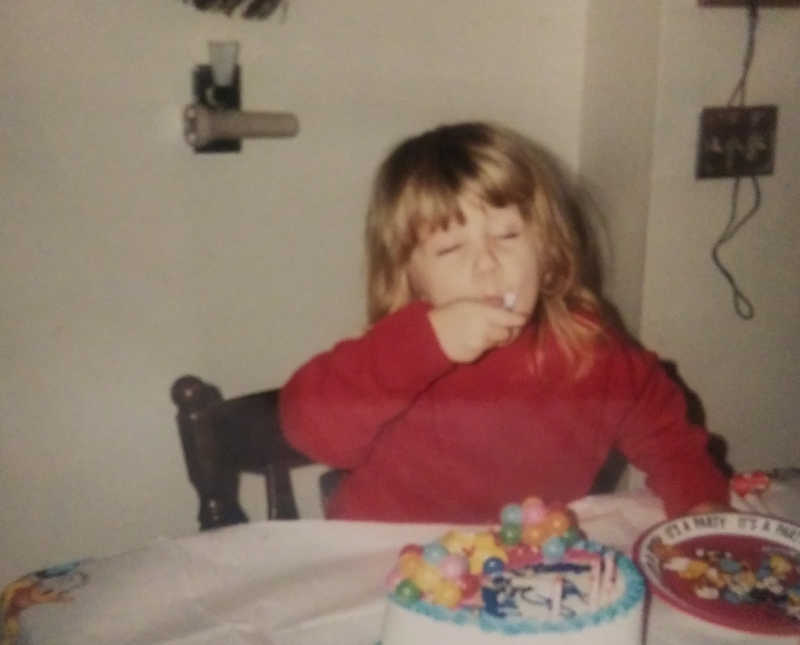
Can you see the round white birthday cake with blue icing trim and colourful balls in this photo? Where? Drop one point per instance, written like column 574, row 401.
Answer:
column 532, row 579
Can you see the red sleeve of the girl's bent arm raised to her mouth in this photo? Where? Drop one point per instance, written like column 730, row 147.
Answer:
column 334, row 406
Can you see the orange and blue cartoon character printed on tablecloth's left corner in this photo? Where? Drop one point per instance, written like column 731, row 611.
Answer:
column 46, row 586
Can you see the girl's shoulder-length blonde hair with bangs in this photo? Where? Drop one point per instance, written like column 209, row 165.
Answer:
column 417, row 189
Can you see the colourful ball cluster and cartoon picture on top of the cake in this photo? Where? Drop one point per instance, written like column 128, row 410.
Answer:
column 534, row 563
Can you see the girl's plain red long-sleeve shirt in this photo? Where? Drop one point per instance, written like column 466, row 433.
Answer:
column 426, row 439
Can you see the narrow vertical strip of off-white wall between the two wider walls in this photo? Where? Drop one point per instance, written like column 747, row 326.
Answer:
column 617, row 139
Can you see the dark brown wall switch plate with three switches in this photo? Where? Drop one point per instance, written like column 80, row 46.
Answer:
column 736, row 141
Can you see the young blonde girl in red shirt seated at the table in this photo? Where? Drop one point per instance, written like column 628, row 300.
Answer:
column 489, row 372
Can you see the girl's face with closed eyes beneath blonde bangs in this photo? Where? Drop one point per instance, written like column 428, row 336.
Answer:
column 490, row 254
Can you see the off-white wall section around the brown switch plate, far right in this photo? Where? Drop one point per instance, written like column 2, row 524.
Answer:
column 747, row 373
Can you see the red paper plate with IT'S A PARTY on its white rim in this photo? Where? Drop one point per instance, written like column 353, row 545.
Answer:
column 739, row 570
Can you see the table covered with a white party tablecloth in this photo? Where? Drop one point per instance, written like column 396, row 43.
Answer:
column 298, row 582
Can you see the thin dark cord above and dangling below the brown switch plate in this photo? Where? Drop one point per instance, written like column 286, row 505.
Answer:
column 741, row 303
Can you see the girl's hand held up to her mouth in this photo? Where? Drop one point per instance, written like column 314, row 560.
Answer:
column 466, row 329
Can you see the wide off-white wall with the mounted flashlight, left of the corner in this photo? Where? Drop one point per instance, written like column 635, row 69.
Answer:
column 127, row 260
